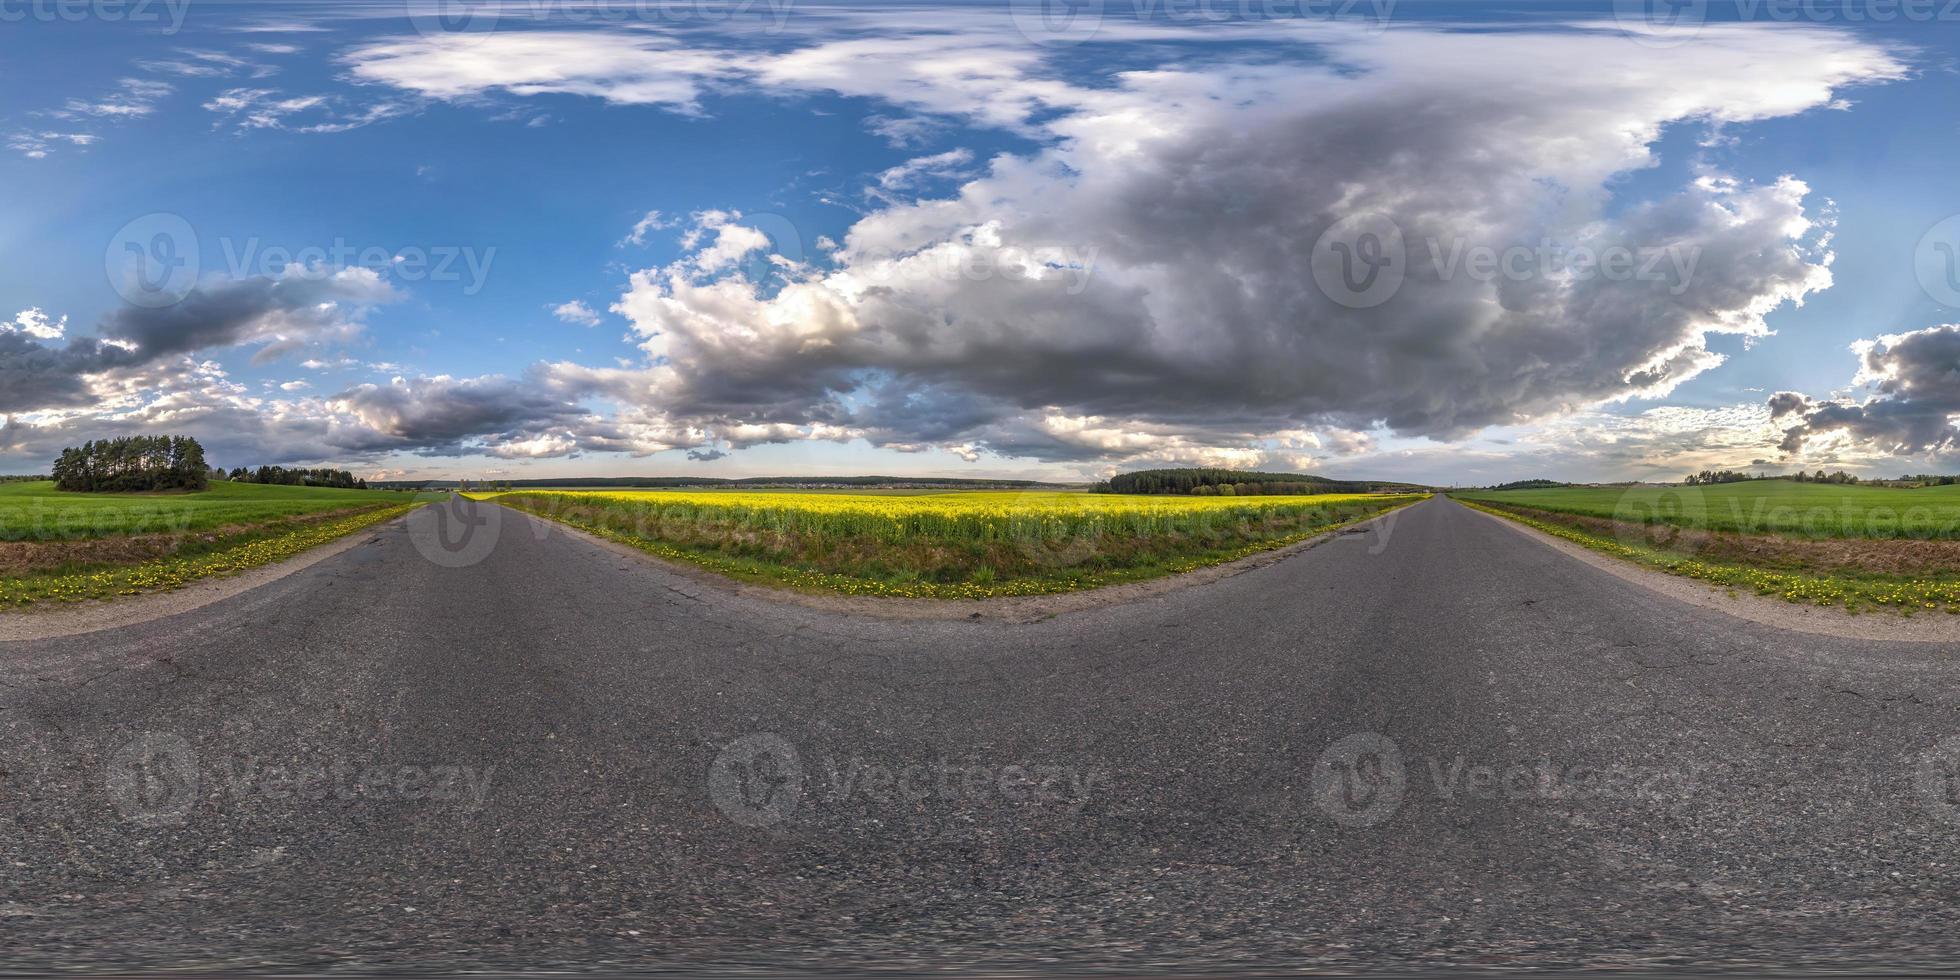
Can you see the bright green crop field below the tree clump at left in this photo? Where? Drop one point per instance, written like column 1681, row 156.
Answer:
column 38, row 513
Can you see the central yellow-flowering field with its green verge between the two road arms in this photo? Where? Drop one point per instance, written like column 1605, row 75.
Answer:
column 948, row 546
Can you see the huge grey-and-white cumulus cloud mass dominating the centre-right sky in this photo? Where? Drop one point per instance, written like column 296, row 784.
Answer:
column 1146, row 283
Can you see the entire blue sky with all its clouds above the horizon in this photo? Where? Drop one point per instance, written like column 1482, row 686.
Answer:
column 1036, row 238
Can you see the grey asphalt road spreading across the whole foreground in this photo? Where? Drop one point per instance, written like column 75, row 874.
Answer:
column 1430, row 746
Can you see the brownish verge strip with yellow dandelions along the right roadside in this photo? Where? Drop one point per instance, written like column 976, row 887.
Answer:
column 1794, row 571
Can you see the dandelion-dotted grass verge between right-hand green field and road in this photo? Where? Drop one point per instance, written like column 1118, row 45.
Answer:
column 1935, row 591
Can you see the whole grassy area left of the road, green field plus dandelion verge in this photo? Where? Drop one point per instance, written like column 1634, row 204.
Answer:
column 68, row 548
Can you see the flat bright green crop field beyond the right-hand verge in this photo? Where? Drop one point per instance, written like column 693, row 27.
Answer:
column 1759, row 507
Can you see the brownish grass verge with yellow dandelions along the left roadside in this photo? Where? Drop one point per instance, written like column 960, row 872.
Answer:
column 195, row 558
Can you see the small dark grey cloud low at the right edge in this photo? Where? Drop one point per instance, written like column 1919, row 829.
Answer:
column 1912, row 403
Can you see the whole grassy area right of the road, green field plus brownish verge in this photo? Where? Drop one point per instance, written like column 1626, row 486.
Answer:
column 1816, row 544
